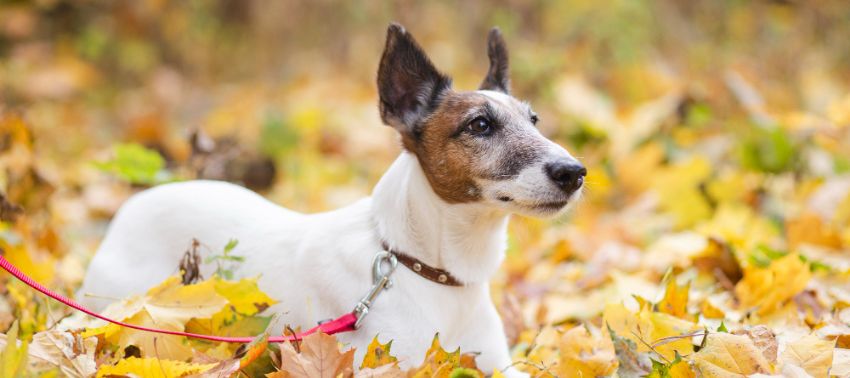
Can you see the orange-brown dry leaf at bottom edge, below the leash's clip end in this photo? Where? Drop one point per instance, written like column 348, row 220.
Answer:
column 319, row 358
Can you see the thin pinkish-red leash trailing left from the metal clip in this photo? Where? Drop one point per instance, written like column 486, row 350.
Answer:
column 344, row 323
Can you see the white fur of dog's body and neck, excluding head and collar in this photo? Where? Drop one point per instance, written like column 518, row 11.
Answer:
column 318, row 266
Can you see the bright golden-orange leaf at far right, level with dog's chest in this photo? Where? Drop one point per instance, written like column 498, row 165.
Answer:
column 767, row 289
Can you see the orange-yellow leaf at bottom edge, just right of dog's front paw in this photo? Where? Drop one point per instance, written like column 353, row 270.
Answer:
column 586, row 352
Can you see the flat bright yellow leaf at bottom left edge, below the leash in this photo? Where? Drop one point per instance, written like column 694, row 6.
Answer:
column 152, row 368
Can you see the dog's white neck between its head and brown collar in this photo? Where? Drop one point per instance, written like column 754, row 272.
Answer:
column 467, row 240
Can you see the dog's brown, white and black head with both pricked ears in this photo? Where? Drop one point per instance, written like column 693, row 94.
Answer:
column 479, row 146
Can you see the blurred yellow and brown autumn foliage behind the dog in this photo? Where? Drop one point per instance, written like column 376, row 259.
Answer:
column 724, row 118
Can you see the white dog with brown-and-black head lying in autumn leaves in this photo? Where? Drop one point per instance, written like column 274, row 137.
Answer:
column 470, row 159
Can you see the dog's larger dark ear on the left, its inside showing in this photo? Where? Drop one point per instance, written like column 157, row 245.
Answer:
column 409, row 85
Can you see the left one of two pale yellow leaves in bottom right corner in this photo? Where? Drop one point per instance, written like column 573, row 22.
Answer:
column 727, row 355
